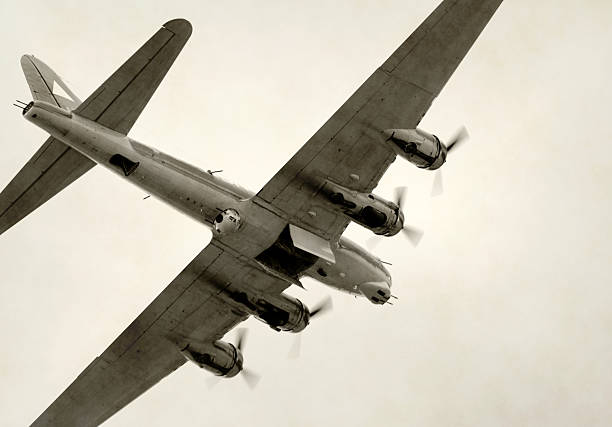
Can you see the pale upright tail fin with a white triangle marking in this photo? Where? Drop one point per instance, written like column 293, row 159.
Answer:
column 46, row 85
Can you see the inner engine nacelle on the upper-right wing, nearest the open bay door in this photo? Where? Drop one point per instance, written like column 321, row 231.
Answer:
column 368, row 210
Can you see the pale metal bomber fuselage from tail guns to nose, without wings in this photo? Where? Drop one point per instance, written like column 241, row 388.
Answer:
column 202, row 195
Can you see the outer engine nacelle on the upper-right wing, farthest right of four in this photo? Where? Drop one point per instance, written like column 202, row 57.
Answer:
column 418, row 147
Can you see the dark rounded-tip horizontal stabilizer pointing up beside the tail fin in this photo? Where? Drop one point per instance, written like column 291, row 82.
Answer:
column 118, row 102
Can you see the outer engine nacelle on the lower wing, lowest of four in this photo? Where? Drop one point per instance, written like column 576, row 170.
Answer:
column 220, row 358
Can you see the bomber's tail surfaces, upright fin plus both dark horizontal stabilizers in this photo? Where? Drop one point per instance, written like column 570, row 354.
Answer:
column 116, row 104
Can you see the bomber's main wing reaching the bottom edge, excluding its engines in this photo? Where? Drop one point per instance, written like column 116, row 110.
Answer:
column 194, row 306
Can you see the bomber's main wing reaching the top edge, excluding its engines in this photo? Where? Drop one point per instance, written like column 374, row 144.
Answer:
column 349, row 148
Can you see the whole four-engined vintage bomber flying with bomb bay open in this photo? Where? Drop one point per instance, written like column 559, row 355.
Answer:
column 262, row 242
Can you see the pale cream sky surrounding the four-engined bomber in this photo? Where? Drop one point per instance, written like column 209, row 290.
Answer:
column 503, row 314
